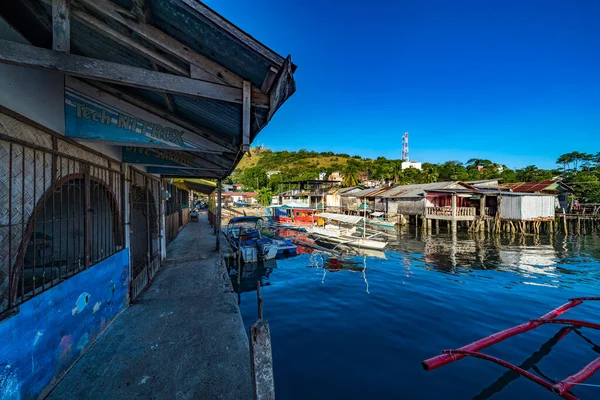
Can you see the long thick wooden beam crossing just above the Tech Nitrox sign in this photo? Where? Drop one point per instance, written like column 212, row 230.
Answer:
column 105, row 71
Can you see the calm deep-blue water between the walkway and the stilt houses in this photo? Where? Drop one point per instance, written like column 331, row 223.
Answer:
column 340, row 330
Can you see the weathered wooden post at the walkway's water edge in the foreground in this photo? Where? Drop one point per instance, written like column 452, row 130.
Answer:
column 261, row 356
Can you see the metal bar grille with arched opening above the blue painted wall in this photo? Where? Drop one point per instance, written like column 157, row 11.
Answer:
column 59, row 214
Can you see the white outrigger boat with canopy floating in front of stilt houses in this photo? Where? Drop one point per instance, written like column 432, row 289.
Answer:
column 343, row 231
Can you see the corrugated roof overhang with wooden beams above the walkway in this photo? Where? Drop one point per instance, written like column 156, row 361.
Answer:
column 178, row 41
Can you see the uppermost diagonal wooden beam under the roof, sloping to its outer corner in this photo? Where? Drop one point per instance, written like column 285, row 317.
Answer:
column 202, row 67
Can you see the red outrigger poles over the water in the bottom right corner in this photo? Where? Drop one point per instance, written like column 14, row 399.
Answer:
column 561, row 388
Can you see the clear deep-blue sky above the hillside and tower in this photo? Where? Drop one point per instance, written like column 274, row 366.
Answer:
column 514, row 81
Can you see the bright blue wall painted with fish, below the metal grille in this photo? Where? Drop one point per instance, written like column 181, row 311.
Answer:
column 53, row 329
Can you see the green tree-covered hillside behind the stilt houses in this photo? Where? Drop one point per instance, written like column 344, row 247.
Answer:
column 580, row 170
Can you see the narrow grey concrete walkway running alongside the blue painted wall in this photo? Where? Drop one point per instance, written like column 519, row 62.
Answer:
column 182, row 339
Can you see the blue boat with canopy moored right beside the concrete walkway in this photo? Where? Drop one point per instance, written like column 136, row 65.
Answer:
column 243, row 234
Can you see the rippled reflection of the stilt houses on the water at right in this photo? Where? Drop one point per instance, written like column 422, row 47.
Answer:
column 541, row 260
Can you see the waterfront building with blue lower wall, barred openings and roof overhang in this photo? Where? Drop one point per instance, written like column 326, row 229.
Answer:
column 103, row 107
